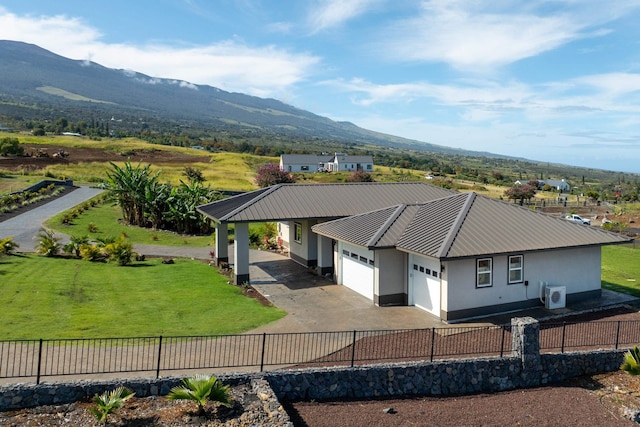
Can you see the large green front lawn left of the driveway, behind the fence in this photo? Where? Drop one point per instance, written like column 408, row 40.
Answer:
column 63, row 298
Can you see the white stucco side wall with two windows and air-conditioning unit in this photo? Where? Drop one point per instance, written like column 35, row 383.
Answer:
column 577, row 269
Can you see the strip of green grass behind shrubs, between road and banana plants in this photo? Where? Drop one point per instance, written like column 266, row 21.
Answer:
column 106, row 218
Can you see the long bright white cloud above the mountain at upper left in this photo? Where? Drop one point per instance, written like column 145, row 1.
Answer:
column 230, row 65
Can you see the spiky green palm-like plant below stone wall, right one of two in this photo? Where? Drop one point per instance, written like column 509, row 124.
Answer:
column 201, row 388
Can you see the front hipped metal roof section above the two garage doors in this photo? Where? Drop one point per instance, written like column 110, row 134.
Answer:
column 467, row 225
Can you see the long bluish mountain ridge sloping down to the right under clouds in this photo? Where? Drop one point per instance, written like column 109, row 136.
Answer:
column 33, row 77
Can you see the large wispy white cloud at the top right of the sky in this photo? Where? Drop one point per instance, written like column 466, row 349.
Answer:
column 482, row 35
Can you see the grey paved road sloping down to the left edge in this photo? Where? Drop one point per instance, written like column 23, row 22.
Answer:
column 26, row 226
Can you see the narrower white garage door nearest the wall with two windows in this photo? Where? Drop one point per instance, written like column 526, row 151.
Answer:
column 426, row 285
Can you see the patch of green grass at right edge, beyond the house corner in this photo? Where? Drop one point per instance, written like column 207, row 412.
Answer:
column 621, row 269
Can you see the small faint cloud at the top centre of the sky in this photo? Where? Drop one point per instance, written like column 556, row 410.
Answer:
column 332, row 13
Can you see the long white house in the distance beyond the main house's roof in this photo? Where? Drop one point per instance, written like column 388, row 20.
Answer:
column 338, row 162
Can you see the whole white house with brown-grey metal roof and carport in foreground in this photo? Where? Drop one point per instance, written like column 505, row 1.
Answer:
column 456, row 255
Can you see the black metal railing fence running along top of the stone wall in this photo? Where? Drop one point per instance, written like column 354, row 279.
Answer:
column 60, row 357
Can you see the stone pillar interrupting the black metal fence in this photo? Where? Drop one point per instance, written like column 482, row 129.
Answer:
column 525, row 333
